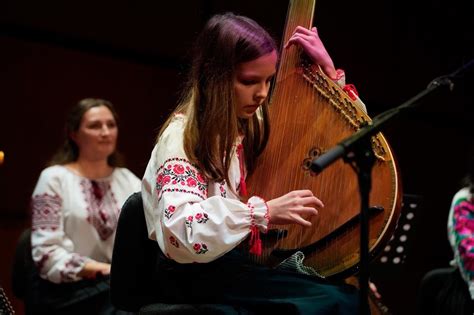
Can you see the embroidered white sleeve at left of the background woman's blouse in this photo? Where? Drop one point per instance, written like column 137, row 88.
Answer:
column 52, row 250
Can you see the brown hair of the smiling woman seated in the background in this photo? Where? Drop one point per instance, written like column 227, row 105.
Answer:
column 69, row 152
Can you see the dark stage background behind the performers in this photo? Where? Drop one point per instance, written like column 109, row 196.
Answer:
column 135, row 53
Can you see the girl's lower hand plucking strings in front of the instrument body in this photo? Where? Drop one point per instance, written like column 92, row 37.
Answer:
column 297, row 206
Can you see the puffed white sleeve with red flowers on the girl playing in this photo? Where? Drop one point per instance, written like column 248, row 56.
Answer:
column 189, row 225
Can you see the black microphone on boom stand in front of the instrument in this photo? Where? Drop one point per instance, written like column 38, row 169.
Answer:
column 357, row 151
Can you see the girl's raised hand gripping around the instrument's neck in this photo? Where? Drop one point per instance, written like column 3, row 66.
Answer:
column 313, row 46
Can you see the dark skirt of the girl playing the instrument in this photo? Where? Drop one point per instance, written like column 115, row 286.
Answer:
column 234, row 280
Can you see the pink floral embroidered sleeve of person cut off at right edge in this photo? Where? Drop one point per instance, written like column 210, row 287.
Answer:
column 463, row 232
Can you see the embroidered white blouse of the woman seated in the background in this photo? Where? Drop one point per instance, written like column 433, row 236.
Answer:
column 74, row 219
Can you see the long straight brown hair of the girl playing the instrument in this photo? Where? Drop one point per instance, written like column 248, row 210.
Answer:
column 208, row 101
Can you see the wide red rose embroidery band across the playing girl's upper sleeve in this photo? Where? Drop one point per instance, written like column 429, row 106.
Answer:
column 178, row 175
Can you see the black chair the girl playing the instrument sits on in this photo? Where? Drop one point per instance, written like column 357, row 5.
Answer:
column 134, row 258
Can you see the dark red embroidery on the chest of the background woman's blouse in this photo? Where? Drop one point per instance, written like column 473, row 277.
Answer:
column 102, row 207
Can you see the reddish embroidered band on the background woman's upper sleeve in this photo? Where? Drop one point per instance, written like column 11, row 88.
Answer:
column 46, row 212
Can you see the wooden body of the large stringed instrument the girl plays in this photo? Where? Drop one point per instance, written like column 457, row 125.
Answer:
column 310, row 114
